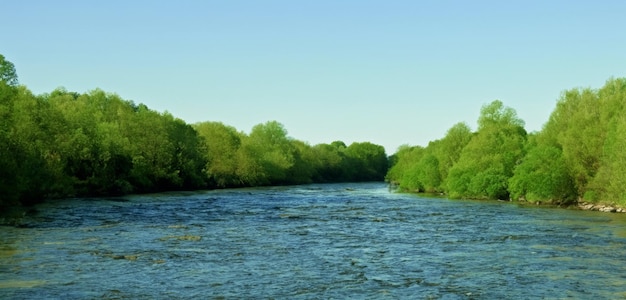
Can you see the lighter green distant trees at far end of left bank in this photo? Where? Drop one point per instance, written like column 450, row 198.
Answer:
column 268, row 156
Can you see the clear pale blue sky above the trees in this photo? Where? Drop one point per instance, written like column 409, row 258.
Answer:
column 388, row 72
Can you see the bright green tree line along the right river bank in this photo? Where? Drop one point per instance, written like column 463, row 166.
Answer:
column 578, row 155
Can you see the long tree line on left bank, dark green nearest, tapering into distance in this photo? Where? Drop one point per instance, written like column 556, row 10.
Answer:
column 66, row 144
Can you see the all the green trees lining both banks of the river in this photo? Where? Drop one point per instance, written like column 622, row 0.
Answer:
column 65, row 144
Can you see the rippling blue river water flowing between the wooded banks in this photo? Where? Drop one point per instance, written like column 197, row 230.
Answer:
column 312, row 241
